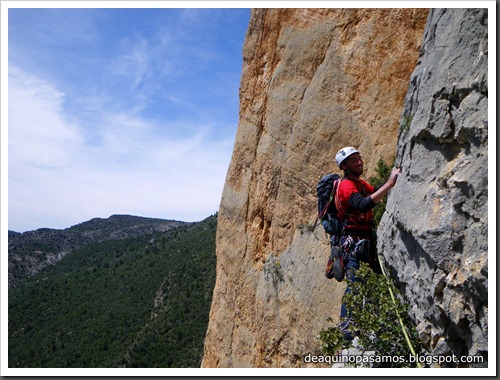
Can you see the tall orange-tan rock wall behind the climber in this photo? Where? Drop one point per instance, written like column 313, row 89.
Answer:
column 313, row 81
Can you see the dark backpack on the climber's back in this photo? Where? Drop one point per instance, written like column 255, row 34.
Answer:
column 327, row 212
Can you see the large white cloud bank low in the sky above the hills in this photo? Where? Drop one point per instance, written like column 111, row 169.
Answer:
column 57, row 179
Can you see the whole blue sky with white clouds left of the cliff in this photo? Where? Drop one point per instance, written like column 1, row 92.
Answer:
column 120, row 111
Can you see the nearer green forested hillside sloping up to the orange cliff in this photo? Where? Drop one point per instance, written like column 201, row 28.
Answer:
column 135, row 302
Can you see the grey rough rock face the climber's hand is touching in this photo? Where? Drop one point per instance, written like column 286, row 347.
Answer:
column 439, row 255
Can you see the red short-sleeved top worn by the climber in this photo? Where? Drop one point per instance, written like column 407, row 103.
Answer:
column 357, row 222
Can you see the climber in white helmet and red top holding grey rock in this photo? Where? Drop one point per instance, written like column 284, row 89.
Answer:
column 354, row 200
